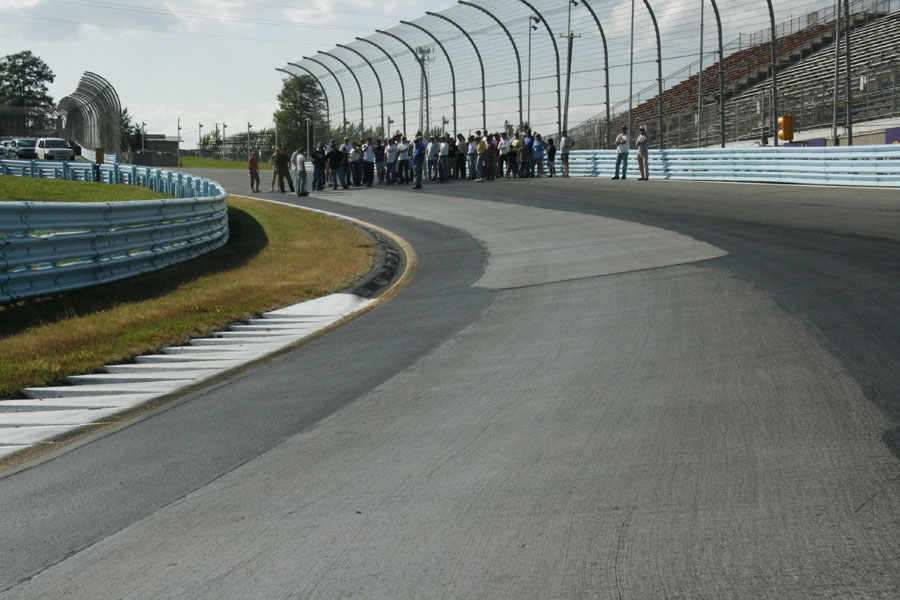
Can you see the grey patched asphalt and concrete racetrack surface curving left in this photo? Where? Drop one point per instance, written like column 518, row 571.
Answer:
column 591, row 389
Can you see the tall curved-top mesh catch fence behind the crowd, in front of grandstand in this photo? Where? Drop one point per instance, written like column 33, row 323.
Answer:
column 535, row 43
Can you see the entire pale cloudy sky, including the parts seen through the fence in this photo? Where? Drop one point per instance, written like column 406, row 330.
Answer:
column 214, row 61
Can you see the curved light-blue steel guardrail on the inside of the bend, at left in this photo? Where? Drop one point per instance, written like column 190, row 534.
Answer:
column 52, row 247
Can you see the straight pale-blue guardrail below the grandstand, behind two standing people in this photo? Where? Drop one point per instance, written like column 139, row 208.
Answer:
column 875, row 166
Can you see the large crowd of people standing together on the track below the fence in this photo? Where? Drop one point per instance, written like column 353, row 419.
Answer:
column 399, row 161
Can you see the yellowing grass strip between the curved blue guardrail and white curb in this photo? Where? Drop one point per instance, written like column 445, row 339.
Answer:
column 277, row 255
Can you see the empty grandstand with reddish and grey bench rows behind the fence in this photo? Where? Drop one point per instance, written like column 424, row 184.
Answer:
column 806, row 76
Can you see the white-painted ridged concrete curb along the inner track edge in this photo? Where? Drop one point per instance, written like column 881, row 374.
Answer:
column 51, row 411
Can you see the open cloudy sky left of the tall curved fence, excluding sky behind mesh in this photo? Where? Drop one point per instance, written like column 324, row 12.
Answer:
column 166, row 63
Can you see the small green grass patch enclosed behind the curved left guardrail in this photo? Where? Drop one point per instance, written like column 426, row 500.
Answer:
column 26, row 189
